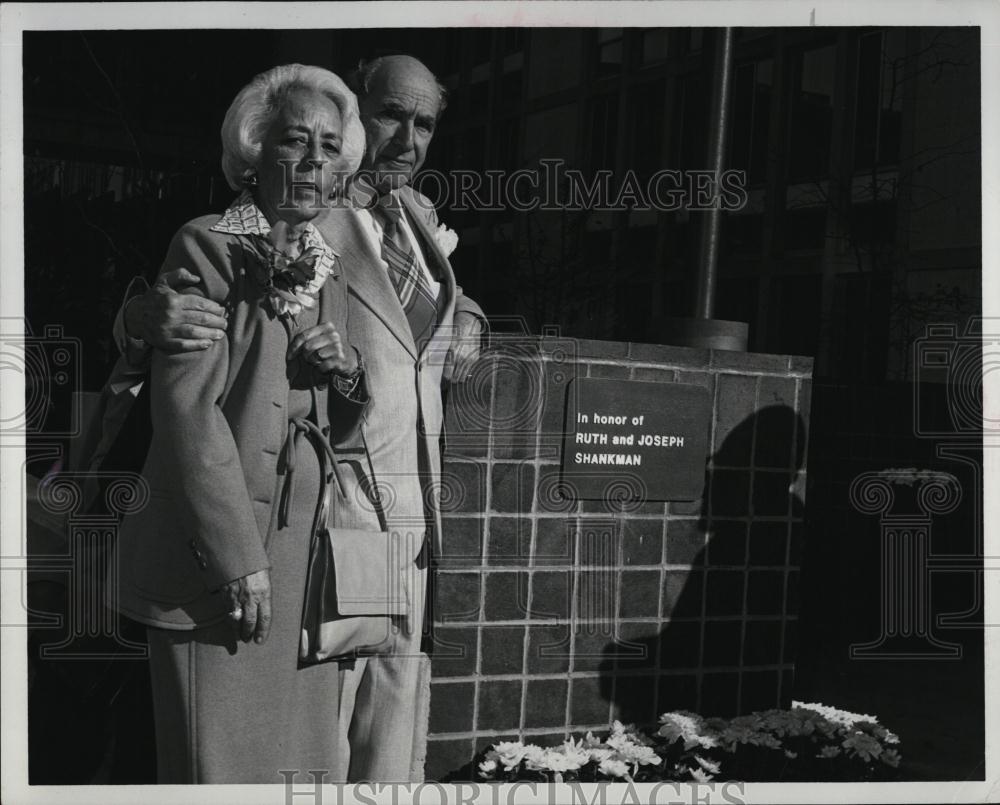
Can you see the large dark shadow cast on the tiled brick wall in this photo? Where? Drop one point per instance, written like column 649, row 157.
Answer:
column 728, row 588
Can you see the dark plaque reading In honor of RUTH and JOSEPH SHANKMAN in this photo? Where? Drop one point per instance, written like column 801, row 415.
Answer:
column 630, row 439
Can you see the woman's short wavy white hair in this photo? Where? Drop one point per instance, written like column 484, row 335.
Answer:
column 254, row 108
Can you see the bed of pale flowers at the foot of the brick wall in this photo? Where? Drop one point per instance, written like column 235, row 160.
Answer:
column 808, row 742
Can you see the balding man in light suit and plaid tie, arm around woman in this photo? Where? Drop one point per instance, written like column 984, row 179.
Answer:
column 413, row 328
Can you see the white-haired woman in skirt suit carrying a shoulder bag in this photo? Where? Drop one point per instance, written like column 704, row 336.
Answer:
column 215, row 564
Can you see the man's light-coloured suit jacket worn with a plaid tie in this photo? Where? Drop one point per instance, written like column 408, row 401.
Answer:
column 404, row 416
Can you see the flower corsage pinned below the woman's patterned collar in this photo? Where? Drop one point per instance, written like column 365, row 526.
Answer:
column 295, row 267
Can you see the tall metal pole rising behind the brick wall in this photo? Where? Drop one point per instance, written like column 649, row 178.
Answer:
column 722, row 83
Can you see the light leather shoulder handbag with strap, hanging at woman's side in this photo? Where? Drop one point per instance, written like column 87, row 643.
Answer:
column 356, row 593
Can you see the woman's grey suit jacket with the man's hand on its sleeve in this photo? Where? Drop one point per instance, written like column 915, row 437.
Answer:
column 219, row 423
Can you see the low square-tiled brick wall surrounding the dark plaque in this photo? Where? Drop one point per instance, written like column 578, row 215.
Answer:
column 553, row 615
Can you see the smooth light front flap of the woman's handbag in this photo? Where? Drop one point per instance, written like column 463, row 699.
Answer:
column 368, row 566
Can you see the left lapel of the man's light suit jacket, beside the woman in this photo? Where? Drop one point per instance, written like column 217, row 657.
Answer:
column 341, row 228
